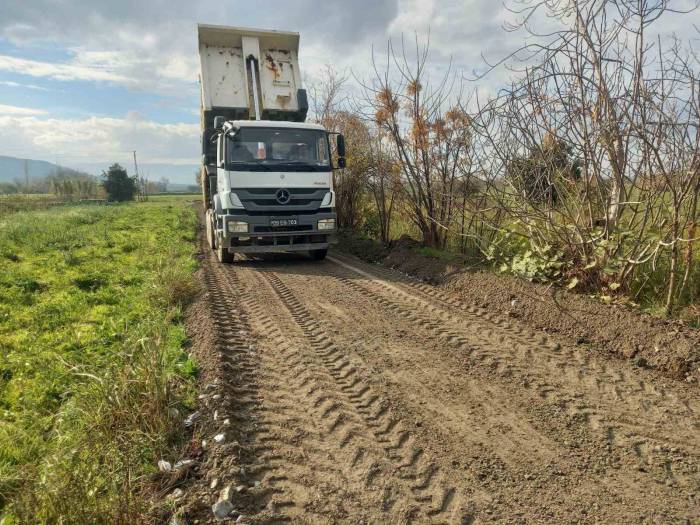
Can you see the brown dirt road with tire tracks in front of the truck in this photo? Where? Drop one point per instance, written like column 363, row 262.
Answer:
column 356, row 395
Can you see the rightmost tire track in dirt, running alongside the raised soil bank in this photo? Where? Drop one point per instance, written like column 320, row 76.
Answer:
column 534, row 353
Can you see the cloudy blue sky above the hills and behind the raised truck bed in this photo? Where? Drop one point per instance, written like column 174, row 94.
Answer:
column 84, row 82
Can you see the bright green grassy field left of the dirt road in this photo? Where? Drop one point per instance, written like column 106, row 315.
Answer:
column 93, row 361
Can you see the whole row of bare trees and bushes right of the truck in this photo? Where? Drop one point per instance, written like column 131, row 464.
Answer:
column 582, row 169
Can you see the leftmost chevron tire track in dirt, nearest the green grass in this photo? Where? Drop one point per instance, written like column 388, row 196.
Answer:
column 262, row 448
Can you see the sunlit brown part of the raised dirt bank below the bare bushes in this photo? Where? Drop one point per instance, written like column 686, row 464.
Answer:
column 650, row 342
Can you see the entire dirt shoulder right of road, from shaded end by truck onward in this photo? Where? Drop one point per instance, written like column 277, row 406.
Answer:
column 668, row 347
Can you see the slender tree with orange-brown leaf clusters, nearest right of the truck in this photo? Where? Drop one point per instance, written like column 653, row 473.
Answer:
column 428, row 131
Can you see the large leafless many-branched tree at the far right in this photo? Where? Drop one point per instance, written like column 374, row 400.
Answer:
column 603, row 123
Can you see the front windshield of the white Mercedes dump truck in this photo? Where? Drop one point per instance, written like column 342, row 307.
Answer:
column 277, row 149
